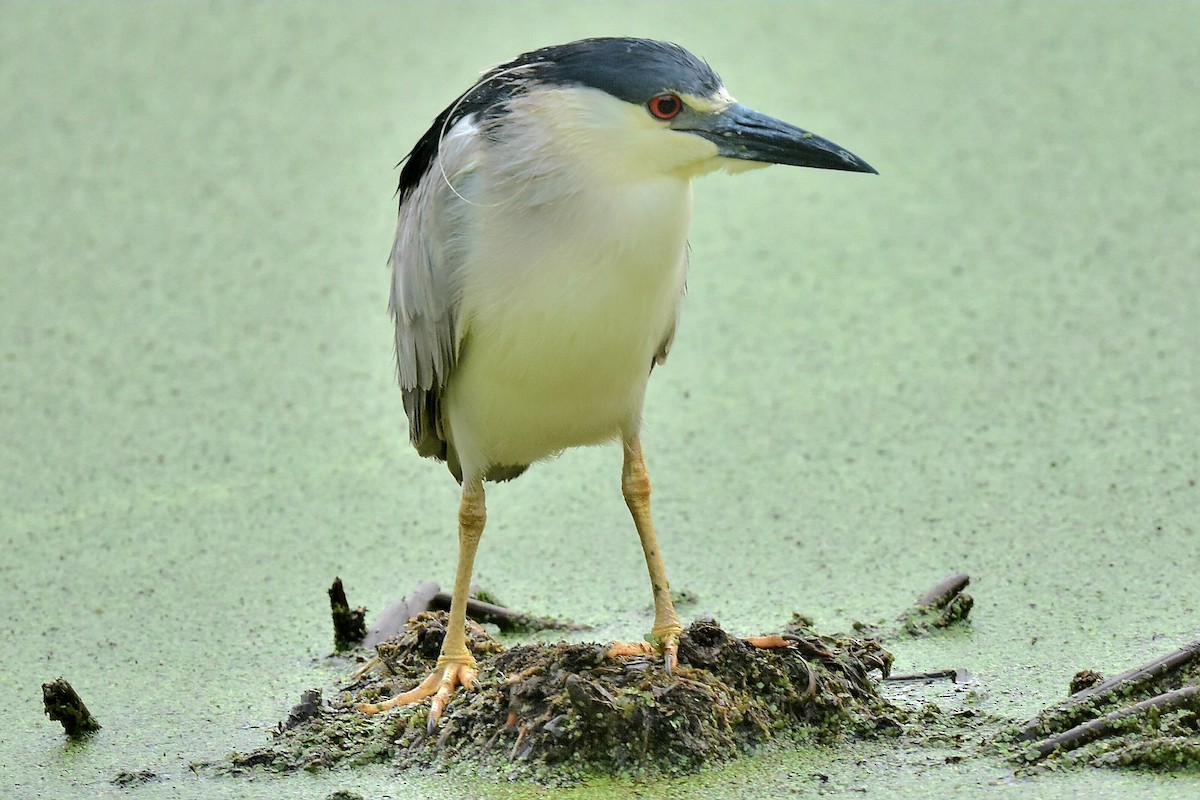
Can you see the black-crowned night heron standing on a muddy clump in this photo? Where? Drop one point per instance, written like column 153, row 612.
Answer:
column 539, row 266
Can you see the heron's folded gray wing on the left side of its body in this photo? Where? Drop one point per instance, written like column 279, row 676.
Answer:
column 427, row 262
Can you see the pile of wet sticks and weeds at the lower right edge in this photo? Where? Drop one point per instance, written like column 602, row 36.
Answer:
column 1148, row 717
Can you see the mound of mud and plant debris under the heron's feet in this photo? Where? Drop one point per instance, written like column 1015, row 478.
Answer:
column 559, row 713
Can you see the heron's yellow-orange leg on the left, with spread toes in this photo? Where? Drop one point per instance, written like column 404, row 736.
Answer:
column 457, row 666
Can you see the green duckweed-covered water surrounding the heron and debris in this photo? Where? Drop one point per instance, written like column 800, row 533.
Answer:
column 986, row 359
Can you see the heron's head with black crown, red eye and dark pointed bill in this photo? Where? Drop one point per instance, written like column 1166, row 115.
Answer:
column 632, row 107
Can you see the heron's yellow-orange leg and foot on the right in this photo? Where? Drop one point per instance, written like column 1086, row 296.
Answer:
column 635, row 485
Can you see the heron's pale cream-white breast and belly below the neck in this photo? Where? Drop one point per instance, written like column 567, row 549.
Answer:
column 563, row 309
